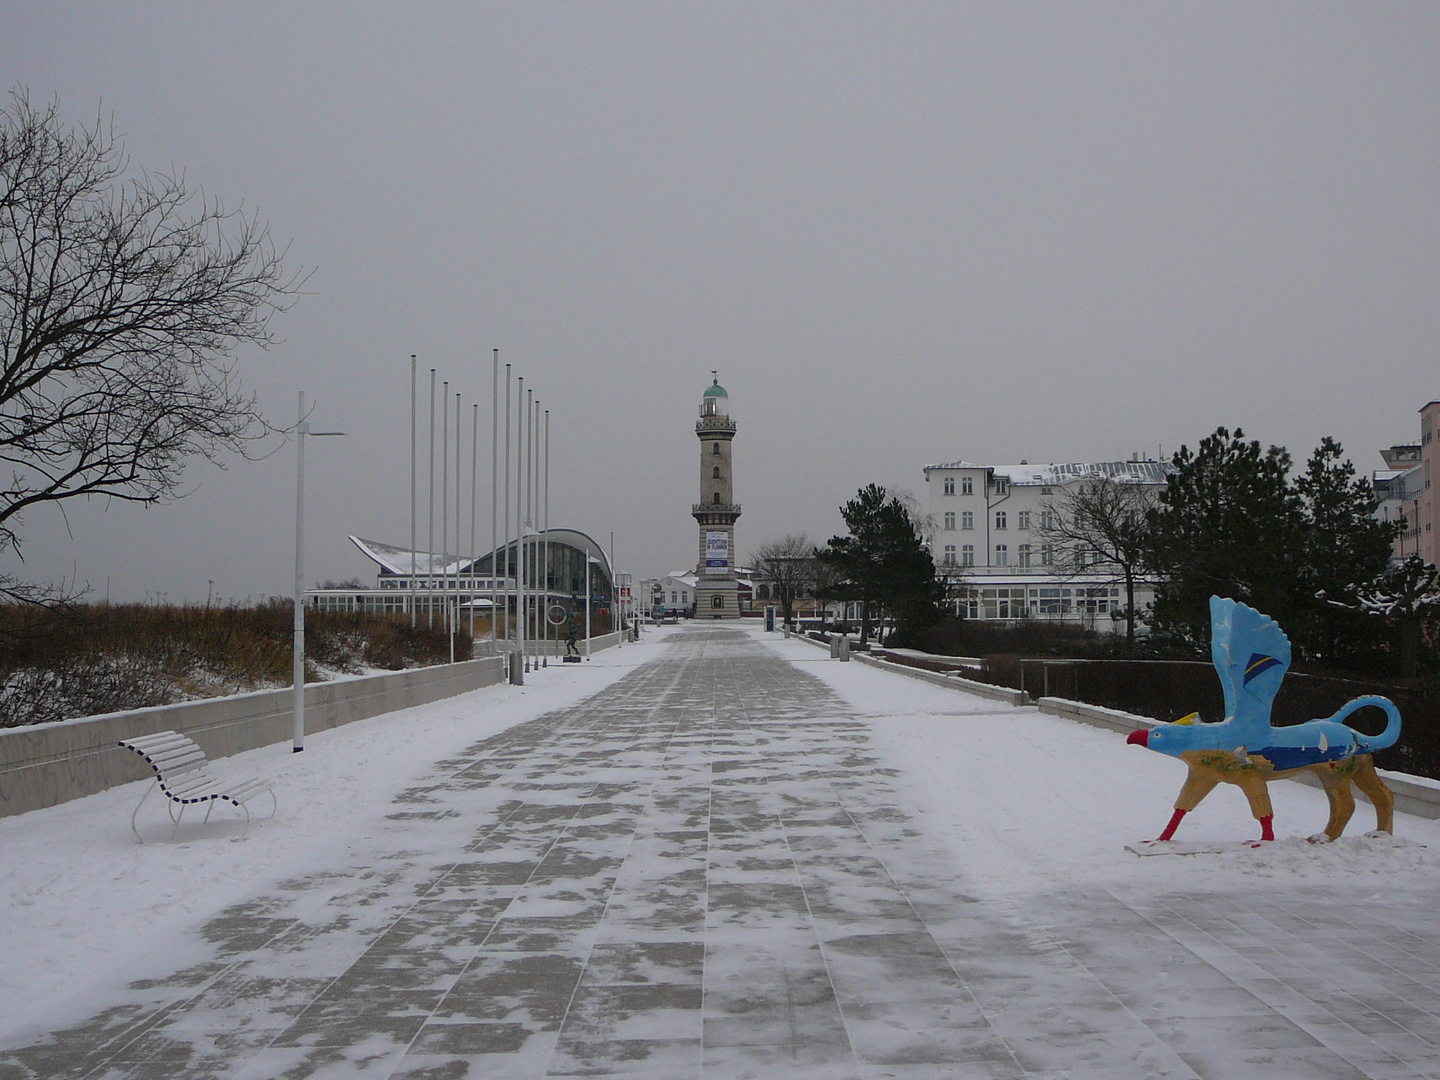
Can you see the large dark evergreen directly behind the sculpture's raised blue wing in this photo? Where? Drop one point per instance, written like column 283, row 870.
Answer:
column 1230, row 523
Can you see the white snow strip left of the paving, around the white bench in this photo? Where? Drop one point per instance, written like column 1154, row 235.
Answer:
column 83, row 901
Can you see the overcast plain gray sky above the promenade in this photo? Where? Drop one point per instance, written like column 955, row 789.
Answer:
column 904, row 234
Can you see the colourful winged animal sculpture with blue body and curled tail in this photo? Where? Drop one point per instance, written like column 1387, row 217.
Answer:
column 1252, row 656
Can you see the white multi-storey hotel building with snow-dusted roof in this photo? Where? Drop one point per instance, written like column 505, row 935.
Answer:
column 987, row 528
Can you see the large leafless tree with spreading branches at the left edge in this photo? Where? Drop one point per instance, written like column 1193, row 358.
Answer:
column 123, row 302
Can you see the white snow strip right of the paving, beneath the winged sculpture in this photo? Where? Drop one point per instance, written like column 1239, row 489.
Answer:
column 1027, row 803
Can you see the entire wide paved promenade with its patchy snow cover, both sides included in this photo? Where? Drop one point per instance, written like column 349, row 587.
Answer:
column 718, row 855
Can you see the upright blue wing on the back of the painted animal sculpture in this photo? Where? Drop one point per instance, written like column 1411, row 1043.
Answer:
column 1252, row 656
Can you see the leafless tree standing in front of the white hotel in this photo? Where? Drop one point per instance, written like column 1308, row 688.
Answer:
column 1098, row 529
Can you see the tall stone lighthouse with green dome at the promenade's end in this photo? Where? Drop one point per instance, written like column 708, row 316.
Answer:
column 718, row 593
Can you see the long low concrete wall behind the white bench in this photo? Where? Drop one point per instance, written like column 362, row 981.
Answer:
column 50, row 764
